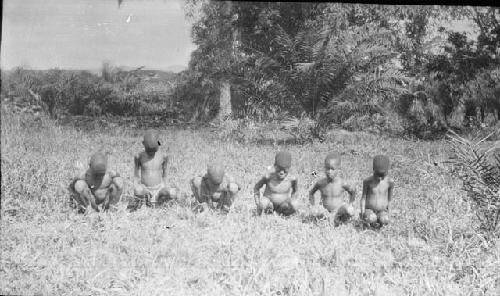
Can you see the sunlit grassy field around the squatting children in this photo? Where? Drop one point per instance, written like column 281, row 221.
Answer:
column 431, row 248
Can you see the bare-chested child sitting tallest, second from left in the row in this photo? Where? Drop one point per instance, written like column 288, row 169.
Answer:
column 150, row 175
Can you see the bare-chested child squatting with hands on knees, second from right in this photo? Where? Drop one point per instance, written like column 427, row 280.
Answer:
column 332, row 189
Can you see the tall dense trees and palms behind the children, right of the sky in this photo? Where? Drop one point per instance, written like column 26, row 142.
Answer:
column 359, row 66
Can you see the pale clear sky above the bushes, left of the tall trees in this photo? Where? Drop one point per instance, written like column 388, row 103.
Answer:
column 82, row 34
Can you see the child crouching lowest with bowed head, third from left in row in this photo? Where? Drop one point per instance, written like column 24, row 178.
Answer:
column 216, row 189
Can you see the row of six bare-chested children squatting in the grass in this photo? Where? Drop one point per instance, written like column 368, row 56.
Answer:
column 217, row 190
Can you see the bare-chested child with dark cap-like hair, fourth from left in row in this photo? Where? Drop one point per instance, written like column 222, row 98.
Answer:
column 281, row 188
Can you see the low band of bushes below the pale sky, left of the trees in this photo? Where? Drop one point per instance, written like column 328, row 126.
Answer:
column 114, row 91
